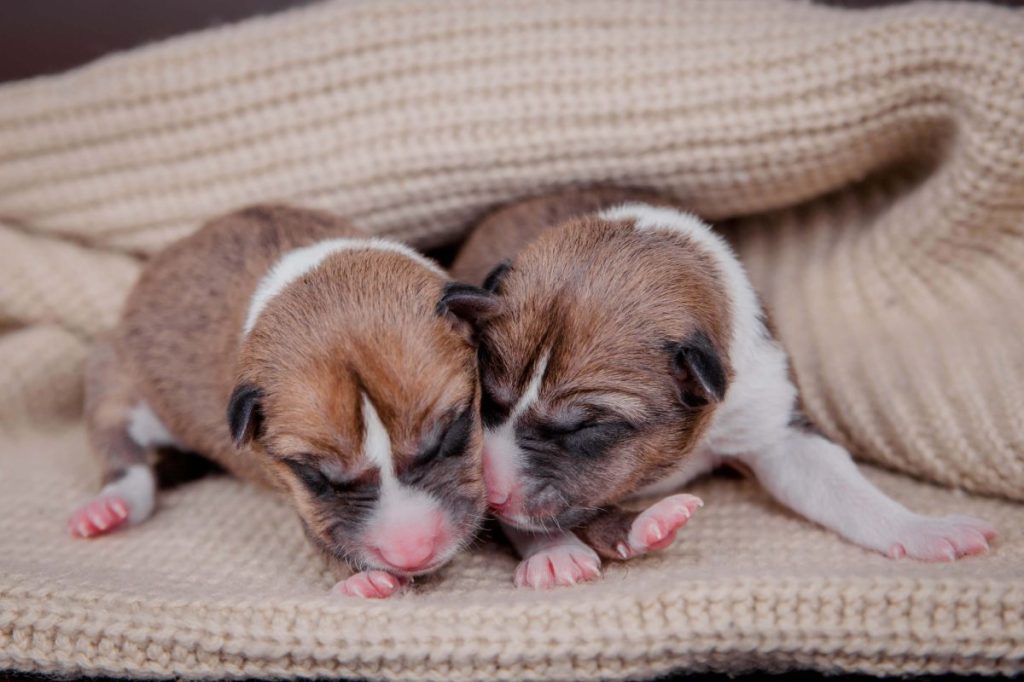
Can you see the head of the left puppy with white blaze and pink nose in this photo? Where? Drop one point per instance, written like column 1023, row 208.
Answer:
column 358, row 392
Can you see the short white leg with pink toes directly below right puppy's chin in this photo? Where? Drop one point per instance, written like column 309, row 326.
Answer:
column 553, row 560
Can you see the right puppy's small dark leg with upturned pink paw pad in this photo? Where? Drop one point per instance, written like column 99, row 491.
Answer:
column 623, row 535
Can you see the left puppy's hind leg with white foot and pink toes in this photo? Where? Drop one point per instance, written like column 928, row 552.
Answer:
column 131, row 487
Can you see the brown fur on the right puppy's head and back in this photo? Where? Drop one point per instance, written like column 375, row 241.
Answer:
column 608, row 301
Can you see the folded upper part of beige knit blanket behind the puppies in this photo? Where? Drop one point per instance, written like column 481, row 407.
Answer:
column 900, row 303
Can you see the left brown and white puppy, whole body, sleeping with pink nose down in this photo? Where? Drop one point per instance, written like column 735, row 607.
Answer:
column 300, row 355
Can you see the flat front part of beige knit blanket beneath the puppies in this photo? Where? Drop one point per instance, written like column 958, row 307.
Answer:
column 222, row 583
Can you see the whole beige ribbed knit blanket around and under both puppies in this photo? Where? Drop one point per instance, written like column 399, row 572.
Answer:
column 869, row 164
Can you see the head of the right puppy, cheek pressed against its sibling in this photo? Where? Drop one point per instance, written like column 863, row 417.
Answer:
column 602, row 371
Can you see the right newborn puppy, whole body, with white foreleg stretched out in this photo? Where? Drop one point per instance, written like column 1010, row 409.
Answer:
column 629, row 357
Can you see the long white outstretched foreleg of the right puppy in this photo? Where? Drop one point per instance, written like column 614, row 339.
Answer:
column 819, row 480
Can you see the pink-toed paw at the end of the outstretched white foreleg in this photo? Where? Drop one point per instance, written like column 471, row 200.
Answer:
column 944, row 539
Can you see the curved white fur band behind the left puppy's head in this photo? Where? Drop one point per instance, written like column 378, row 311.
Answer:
column 294, row 265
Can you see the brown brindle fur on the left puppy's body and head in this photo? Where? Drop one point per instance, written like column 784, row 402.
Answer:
column 364, row 321
